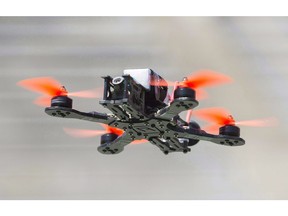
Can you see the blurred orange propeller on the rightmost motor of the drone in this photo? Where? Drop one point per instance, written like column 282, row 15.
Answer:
column 219, row 117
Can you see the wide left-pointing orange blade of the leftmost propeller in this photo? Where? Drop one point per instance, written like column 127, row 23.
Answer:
column 45, row 85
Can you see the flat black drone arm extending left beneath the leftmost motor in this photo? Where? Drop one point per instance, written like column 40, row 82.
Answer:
column 64, row 112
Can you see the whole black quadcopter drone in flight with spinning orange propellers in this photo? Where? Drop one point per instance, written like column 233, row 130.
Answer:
column 142, row 110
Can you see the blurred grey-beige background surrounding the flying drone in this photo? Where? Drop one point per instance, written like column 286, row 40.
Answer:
column 39, row 161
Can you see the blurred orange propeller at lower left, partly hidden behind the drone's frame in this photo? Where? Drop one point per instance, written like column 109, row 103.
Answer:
column 81, row 133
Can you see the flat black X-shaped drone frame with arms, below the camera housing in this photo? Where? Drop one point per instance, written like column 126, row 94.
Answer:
column 164, row 129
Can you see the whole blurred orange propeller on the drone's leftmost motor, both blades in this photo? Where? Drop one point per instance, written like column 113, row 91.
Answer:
column 50, row 87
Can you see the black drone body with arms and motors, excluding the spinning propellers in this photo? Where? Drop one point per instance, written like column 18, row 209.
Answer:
column 142, row 108
